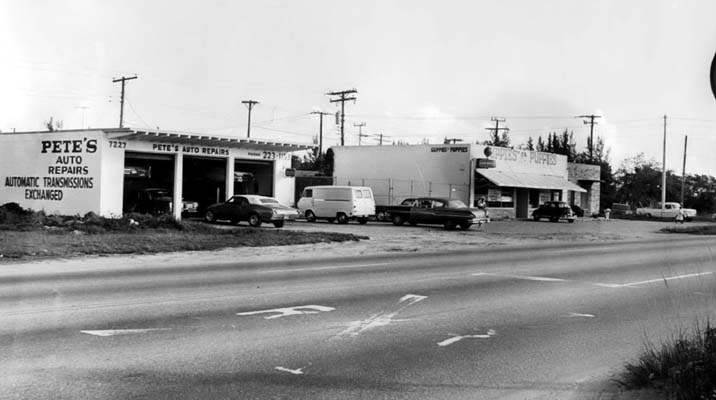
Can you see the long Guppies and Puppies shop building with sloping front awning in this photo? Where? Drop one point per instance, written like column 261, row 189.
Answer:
column 513, row 181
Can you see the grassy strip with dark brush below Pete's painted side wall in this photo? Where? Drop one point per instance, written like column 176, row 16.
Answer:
column 28, row 234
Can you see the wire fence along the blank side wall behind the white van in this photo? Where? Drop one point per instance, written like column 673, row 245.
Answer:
column 393, row 191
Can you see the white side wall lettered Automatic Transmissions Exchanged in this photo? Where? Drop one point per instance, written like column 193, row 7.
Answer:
column 57, row 172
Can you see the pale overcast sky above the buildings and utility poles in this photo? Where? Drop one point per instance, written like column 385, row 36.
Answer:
column 423, row 69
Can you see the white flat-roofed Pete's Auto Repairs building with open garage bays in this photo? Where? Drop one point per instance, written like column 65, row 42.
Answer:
column 78, row 171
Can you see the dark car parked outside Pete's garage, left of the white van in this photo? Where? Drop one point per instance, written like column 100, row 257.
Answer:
column 252, row 208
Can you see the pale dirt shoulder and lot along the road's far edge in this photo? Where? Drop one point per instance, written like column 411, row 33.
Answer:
column 384, row 238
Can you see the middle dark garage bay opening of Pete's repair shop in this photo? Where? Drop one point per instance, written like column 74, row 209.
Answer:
column 204, row 181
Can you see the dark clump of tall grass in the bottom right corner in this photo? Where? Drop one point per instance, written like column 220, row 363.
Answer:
column 683, row 367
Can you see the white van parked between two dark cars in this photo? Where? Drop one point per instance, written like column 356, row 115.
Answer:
column 337, row 203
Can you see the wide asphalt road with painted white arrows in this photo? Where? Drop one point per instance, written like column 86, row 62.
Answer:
column 510, row 323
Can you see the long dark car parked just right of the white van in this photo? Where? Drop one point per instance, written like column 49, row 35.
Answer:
column 432, row 210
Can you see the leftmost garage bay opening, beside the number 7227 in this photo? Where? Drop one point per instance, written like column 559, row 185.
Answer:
column 148, row 183
